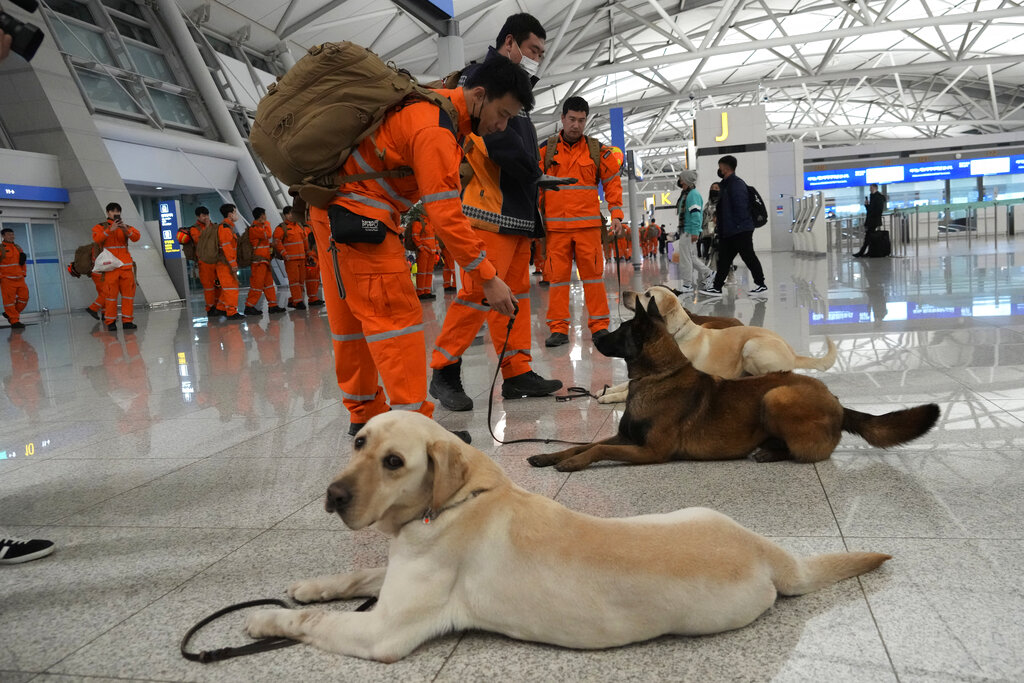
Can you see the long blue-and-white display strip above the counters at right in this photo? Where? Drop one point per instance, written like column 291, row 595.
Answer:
column 941, row 170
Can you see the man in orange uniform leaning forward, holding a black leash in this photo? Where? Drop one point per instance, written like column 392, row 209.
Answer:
column 377, row 323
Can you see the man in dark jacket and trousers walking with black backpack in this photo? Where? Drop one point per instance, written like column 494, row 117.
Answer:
column 736, row 230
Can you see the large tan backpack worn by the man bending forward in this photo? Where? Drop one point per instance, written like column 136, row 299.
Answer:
column 315, row 116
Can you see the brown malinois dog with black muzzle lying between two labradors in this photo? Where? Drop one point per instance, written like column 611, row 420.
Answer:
column 675, row 412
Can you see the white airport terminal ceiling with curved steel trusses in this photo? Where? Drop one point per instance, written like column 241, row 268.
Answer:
column 829, row 72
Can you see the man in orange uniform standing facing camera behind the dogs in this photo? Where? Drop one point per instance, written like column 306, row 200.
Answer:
column 574, row 220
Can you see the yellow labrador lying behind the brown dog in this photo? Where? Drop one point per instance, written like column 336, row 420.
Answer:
column 729, row 353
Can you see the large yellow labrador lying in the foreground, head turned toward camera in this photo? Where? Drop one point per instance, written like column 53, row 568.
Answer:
column 472, row 550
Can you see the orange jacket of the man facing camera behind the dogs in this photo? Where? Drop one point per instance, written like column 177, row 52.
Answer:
column 579, row 206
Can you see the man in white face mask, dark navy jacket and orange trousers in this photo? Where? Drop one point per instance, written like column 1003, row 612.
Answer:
column 501, row 202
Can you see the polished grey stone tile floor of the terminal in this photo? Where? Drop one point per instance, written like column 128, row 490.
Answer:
column 182, row 468
